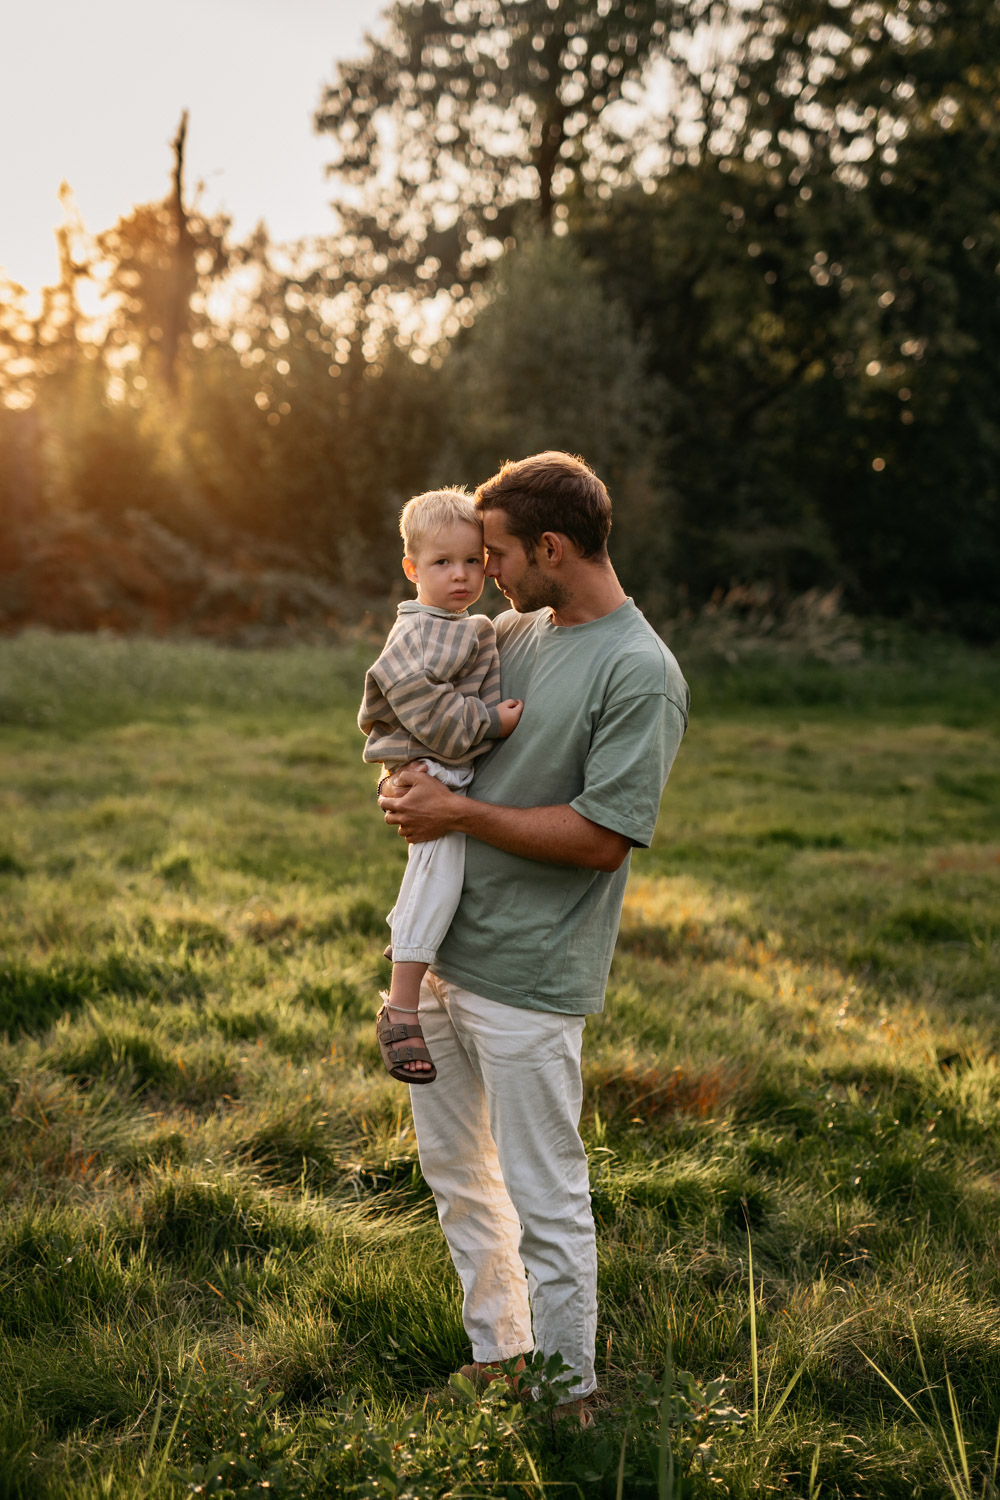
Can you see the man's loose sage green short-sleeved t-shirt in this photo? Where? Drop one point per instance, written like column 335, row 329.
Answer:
column 605, row 712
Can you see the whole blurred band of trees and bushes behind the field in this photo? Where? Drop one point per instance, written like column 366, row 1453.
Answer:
column 743, row 257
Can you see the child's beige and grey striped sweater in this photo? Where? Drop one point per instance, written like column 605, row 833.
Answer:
column 434, row 691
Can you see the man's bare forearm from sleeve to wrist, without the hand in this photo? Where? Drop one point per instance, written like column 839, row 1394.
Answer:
column 552, row 835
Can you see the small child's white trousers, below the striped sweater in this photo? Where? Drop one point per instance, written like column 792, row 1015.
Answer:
column 433, row 884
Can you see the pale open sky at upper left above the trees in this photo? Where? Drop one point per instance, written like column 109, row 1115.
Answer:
column 94, row 92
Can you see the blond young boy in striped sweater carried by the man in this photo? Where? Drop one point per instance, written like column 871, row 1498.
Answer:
column 433, row 697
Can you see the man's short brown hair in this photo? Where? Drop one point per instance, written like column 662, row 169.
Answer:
column 551, row 493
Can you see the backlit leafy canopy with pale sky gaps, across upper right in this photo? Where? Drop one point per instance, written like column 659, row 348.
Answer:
column 461, row 112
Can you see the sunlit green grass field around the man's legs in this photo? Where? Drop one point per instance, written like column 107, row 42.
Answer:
column 220, row 1268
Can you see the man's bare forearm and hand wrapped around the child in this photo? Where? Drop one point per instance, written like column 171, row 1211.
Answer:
column 552, row 835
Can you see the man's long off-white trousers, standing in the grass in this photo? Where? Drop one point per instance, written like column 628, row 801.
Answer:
column 501, row 1151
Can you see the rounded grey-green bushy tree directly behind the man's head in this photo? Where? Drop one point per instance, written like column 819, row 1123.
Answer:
column 552, row 362
